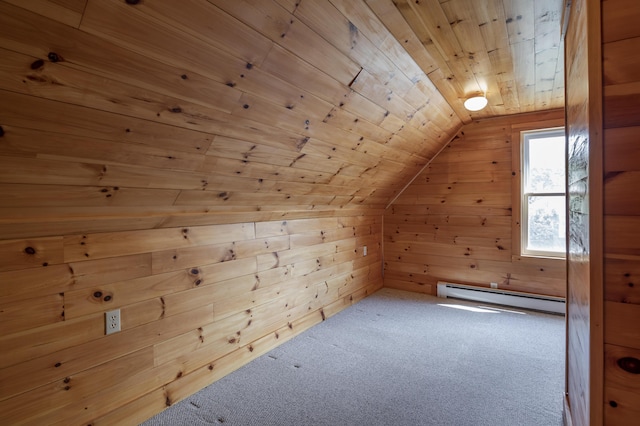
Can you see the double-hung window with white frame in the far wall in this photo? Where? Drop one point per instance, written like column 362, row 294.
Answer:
column 543, row 203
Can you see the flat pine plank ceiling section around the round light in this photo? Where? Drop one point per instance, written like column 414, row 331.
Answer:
column 509, row 49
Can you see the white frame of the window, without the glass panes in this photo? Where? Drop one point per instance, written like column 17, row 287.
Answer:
column 525, row 136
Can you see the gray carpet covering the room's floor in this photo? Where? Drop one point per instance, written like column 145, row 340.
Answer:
column 397, row 358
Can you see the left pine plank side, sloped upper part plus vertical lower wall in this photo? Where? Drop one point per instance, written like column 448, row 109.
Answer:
column 213, row 169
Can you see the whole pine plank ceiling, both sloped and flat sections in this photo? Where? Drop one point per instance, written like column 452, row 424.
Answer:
column 132, row 114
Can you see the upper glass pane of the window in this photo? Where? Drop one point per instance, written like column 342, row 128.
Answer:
column 546, row 164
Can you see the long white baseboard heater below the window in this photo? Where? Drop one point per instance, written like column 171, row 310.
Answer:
column 502, row 297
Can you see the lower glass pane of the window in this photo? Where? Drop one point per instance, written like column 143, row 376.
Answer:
column 546, row 218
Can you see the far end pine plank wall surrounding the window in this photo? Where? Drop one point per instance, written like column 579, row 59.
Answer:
column 455, row 222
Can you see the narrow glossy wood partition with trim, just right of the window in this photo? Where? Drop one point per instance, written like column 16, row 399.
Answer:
column 583, row 403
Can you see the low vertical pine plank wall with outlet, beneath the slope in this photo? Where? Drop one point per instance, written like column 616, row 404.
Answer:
column 196, row 303
